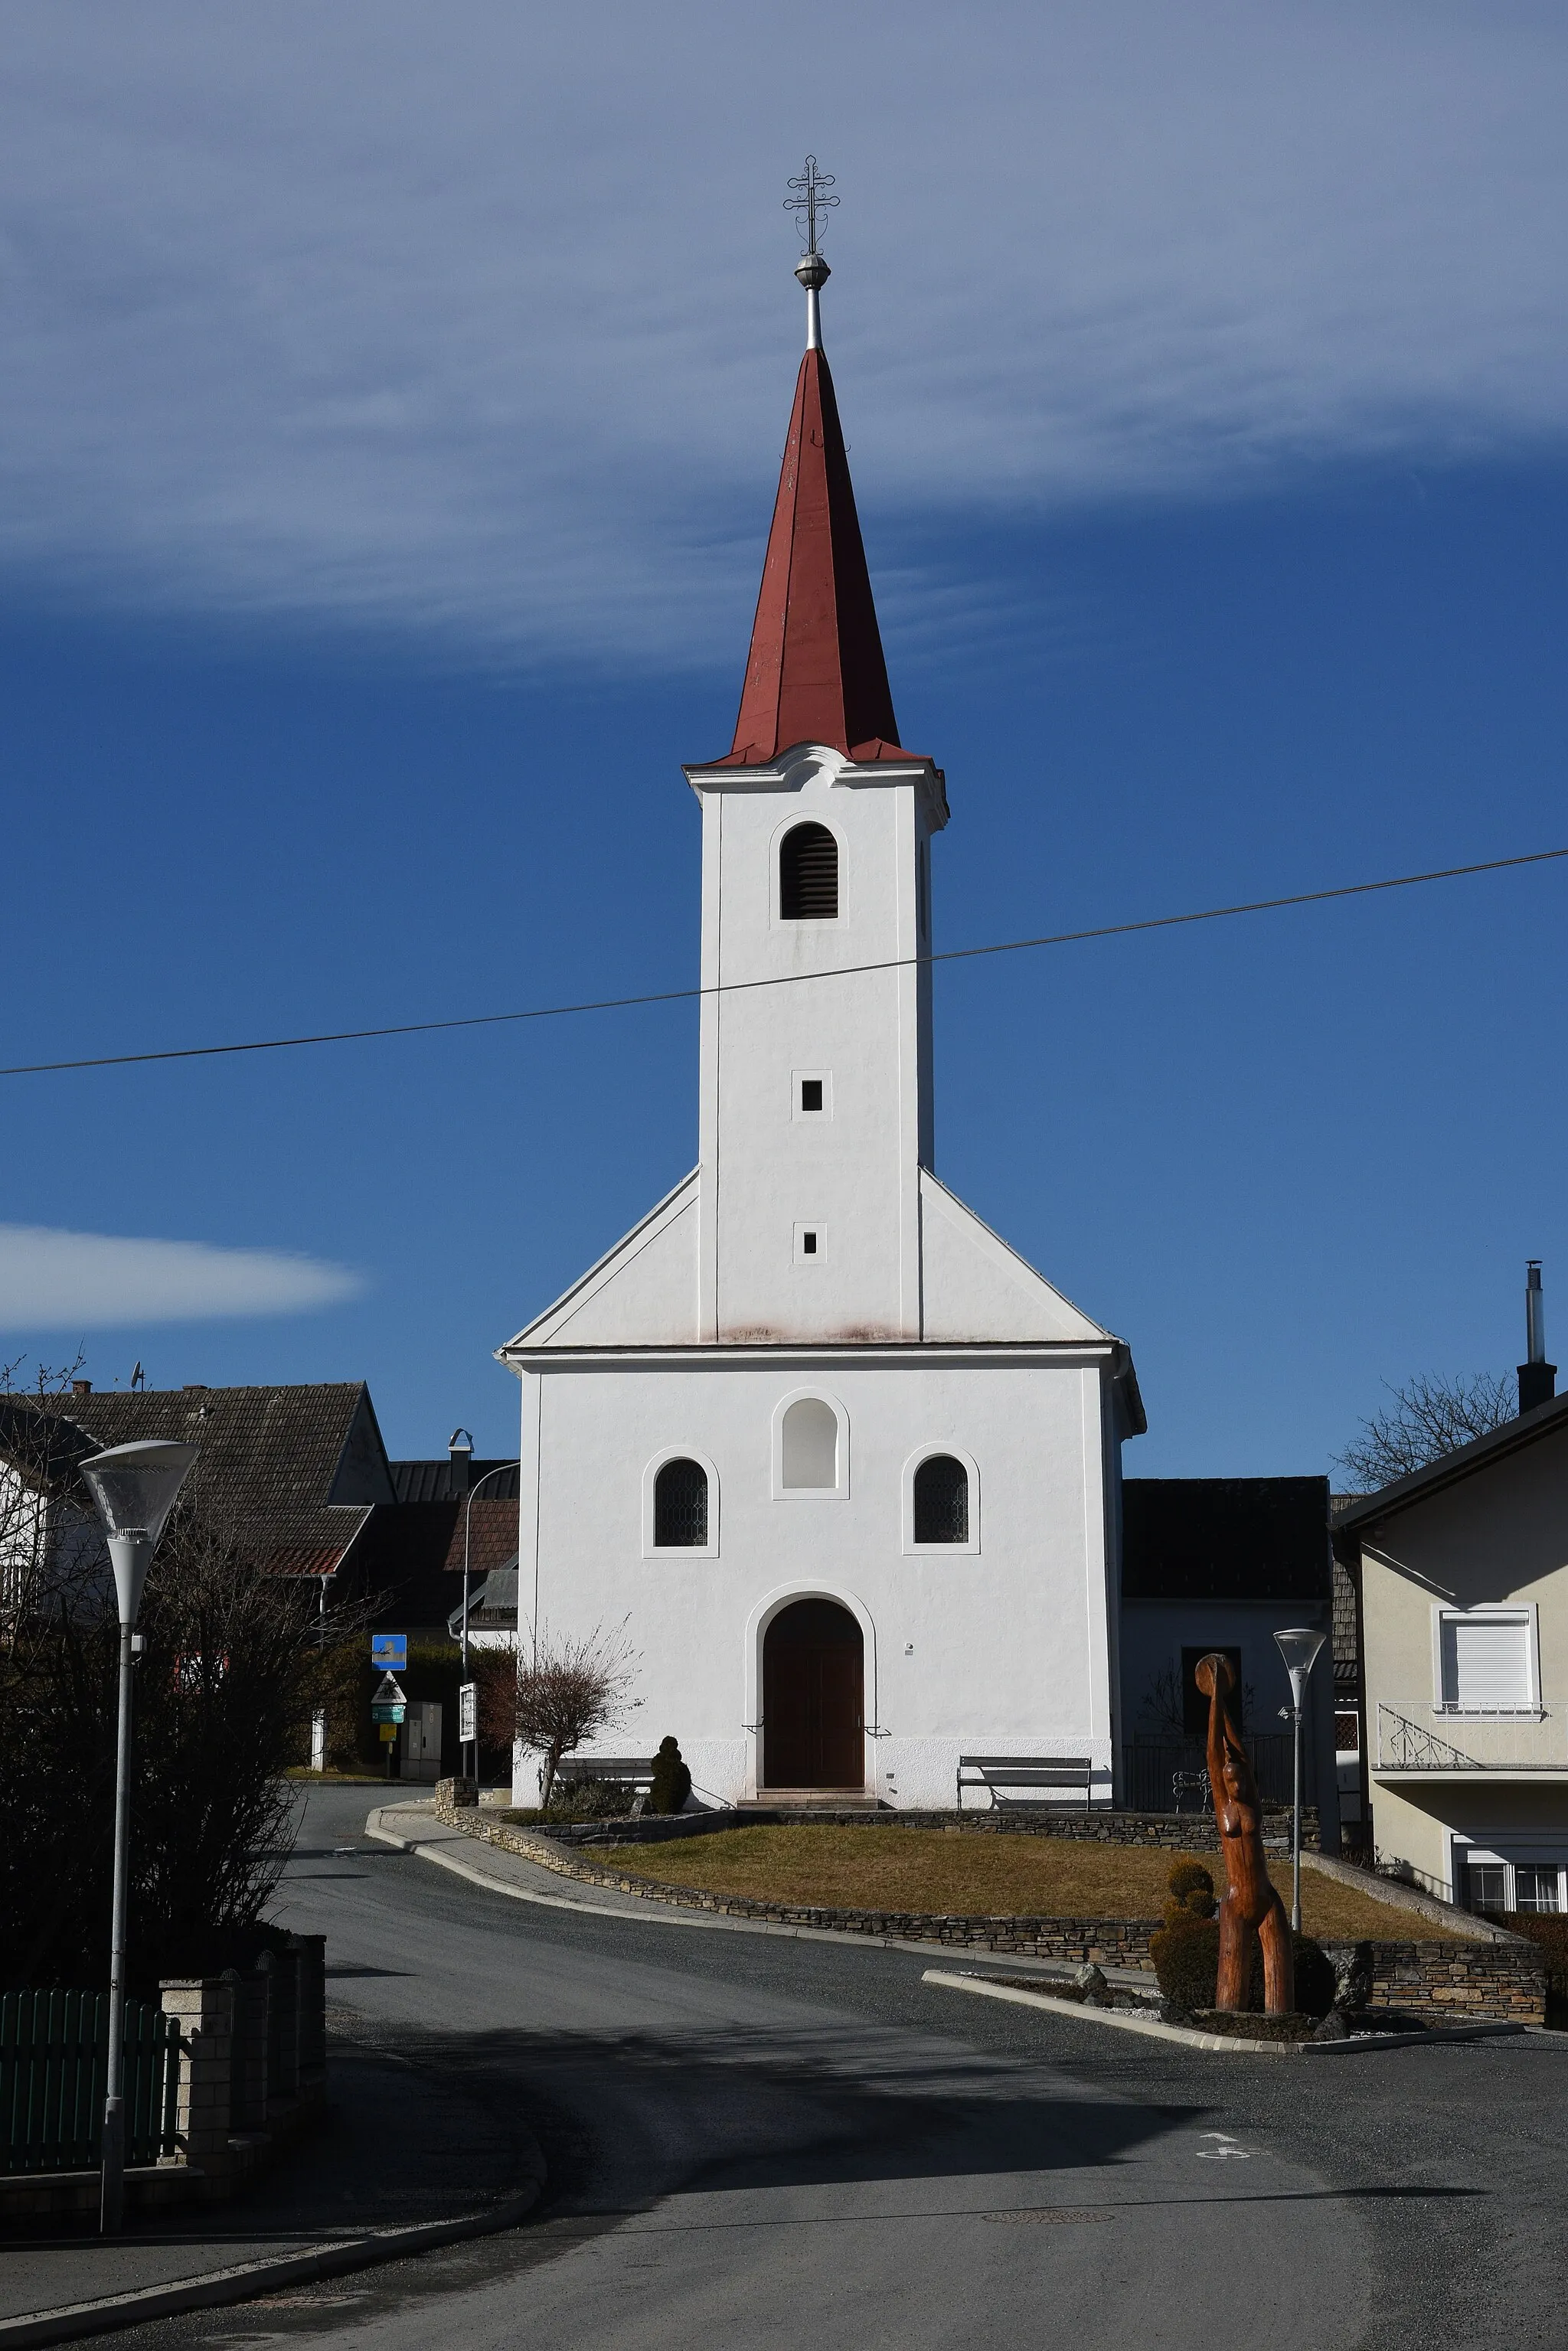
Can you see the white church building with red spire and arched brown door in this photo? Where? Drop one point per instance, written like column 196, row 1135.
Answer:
column 843, row 1463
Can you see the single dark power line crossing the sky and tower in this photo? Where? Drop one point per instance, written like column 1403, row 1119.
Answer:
column 789, row 979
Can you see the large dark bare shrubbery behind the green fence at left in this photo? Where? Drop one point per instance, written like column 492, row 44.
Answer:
column 232, row 1668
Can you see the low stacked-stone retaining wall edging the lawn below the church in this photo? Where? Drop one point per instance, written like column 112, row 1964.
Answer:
column 1454, row 1978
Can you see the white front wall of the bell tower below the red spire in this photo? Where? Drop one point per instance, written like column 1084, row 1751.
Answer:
column 850, row 1174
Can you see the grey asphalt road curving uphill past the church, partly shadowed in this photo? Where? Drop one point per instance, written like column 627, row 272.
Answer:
column 770, row 2143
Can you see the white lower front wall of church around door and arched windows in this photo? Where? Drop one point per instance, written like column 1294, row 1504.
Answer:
column 998, row 1649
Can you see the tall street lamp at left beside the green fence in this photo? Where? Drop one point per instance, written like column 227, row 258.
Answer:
column 133, row 1489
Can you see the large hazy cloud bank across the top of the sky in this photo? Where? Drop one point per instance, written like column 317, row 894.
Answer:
column 478, row 321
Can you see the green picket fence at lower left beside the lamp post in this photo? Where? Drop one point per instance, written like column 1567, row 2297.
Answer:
column 53, row 2075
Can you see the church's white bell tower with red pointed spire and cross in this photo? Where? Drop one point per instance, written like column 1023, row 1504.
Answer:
column 817, row 927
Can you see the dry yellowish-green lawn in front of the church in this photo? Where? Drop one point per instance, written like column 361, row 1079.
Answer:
column 991, row 1877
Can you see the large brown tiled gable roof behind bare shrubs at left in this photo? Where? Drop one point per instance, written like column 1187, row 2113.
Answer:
column 288, row 1471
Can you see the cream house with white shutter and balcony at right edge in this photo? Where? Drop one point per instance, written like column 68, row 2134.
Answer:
column 1463, row 1598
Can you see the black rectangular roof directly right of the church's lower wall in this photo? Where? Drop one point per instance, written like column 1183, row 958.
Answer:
column 1247, row 1539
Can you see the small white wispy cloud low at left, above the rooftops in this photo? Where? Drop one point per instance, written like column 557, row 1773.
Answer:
column 93, row 1280
